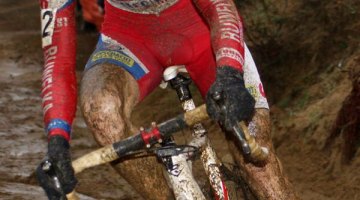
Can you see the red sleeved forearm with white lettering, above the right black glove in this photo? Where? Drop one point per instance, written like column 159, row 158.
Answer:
column 226, row 31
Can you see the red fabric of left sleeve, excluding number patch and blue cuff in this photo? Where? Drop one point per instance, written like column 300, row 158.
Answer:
column 59, row 80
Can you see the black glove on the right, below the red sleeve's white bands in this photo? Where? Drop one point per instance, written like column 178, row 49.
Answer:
column 228, row 101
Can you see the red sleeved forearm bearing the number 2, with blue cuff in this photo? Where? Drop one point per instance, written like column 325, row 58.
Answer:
column 59, row 80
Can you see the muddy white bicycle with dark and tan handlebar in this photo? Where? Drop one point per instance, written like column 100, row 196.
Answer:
column 158, row 141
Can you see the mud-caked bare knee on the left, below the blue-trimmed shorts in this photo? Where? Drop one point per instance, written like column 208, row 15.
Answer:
column 106, row 102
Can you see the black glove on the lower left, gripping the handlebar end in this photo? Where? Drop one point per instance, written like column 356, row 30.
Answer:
column 55, row 174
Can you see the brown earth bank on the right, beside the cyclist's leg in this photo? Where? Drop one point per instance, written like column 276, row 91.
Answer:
column 306, row 50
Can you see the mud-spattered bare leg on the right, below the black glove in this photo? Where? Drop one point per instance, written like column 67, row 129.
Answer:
column 267, row 180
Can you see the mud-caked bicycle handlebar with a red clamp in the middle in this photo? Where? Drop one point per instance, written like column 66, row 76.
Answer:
column 150, row 137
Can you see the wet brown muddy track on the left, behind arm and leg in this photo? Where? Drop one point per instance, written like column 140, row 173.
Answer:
column 23, row 142
